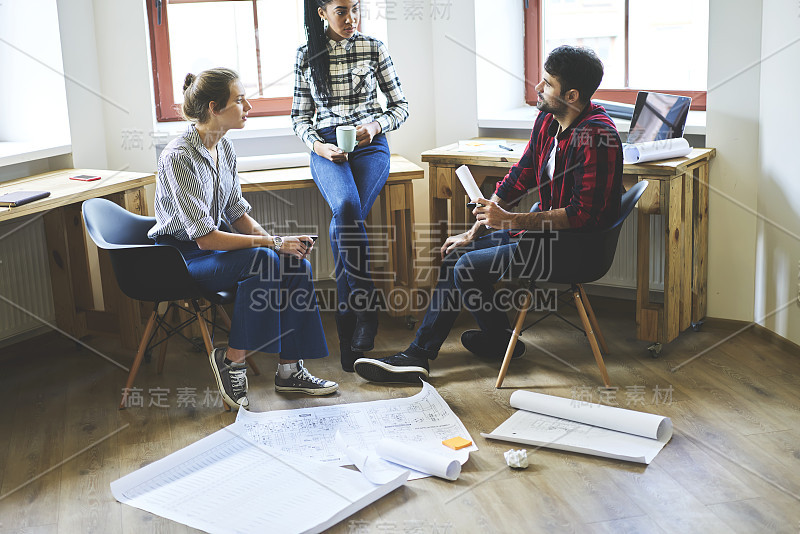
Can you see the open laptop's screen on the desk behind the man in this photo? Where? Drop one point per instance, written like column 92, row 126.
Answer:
column 657, row 116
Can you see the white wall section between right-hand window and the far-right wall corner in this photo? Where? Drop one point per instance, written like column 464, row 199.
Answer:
column 734, row 44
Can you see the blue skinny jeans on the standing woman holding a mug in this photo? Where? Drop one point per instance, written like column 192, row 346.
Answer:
column 350, row 189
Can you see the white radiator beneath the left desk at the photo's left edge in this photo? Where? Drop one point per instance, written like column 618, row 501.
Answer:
column 24, row 276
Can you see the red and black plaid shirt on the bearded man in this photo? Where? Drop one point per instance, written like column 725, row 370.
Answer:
column 587, row 179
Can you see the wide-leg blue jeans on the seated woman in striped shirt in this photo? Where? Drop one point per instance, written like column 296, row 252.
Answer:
column 275, row 308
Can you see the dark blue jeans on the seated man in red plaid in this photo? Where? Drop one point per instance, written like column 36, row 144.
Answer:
column 466, row 280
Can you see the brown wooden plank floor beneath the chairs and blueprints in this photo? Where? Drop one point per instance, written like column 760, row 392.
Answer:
column 733, row 464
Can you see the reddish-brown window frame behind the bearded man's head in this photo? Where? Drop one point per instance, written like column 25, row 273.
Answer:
column 534, row 64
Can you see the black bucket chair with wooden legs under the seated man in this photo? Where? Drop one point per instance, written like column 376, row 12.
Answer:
column 578, row 258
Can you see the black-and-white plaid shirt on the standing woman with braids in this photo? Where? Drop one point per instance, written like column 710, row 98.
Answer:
column 358, row 66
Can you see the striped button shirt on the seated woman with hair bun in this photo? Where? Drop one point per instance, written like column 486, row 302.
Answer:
column 192, row 195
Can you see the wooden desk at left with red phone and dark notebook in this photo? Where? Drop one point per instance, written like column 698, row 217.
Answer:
column 66, row 246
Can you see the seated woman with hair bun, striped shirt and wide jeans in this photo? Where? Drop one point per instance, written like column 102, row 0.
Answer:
column 196, row 191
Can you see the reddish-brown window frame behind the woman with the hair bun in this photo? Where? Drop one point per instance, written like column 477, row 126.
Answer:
column 166, row 107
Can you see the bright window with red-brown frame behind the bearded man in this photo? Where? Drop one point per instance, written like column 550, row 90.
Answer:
column 644, row 45
